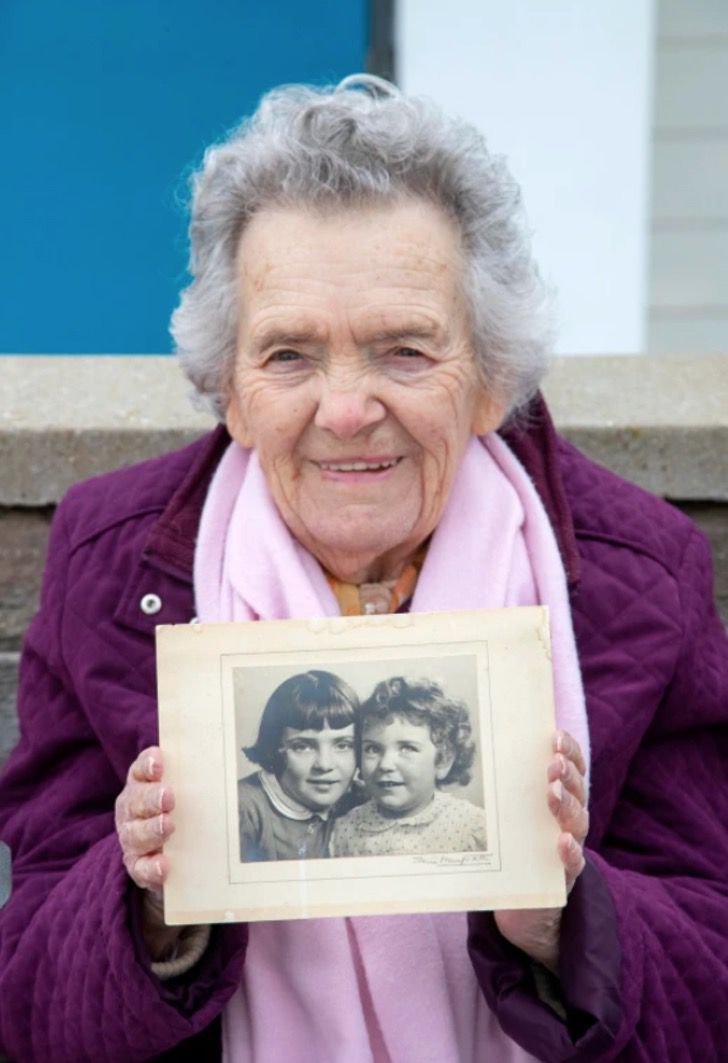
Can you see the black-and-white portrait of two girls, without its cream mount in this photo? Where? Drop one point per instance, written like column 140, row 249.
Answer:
column 373, row 760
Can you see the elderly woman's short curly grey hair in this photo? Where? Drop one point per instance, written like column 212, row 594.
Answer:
column 363, row 143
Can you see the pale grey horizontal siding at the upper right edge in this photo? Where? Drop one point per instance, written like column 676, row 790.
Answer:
column 689, row 280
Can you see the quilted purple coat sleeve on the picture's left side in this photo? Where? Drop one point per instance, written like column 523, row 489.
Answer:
column 75, row 982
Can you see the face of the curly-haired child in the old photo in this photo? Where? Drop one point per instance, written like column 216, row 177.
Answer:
column 400, row 765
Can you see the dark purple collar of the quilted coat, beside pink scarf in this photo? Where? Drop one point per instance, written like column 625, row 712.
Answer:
column 535, row 442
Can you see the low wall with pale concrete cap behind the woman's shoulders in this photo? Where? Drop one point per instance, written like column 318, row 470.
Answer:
column 662, row 421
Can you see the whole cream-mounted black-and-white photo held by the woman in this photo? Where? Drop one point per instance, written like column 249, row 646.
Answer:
column 359, row 766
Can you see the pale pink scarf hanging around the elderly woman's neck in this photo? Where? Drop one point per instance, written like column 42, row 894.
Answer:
column 380, row 989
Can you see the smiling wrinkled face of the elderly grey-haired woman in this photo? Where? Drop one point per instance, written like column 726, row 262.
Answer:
column 355, row 378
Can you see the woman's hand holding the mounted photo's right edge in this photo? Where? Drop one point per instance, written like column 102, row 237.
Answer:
column 537, row 932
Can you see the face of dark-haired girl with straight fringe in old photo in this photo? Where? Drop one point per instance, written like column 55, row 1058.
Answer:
column 319, row 765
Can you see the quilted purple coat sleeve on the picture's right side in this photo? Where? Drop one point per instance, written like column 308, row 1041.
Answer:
column 644, row 967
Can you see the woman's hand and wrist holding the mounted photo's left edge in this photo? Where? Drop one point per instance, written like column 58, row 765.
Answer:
column 144, row 824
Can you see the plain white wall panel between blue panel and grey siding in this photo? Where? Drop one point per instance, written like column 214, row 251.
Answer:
column 564, row 90
